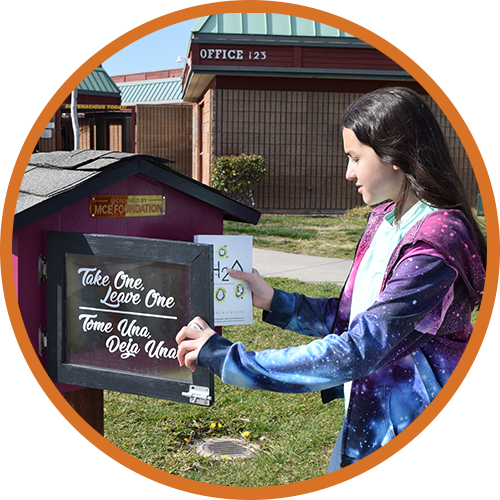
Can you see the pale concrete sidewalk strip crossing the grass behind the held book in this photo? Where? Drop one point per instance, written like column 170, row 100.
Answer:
column 309, row 269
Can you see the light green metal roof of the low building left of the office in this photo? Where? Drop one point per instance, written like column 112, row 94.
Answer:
column 166, row 90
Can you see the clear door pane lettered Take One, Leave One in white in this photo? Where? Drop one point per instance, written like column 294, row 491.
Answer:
column 124, row 314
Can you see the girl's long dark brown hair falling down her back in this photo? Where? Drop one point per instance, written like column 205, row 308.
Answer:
column 400, row 127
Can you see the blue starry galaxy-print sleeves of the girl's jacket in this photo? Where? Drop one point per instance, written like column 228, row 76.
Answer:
column 420, row 289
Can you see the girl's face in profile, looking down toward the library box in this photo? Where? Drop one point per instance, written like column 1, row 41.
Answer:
column 376, row 180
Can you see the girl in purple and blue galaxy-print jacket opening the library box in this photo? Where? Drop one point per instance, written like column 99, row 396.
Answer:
column 392, row 339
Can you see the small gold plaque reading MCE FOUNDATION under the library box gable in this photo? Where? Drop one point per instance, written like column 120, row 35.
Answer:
column 127, row 206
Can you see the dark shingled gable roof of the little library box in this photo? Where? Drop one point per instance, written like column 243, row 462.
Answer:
column 58, row 179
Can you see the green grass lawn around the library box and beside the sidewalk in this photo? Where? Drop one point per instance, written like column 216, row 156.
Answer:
column 295, row 433
